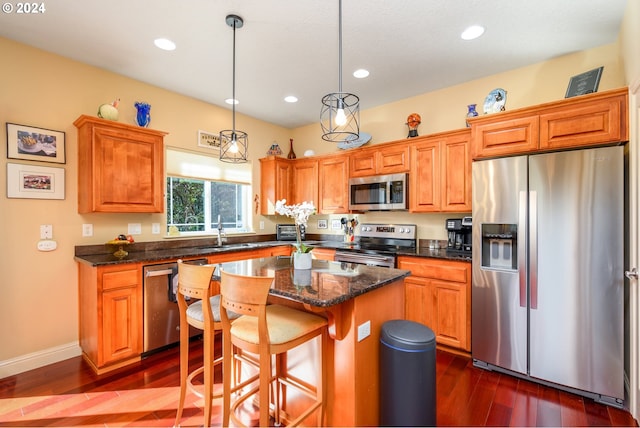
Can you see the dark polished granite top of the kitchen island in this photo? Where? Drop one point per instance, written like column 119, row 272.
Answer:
column 325, row 284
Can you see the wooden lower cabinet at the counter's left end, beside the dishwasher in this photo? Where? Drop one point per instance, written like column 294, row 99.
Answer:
column 110, row 314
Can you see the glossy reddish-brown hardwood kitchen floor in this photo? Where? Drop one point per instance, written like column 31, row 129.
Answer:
column 69, row 394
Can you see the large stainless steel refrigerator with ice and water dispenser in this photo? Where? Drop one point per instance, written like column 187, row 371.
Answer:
column 548, row 269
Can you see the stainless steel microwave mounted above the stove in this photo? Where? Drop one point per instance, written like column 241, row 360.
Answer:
column 379, row 193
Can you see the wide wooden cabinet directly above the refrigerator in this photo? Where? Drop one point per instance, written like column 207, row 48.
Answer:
column 586, row 120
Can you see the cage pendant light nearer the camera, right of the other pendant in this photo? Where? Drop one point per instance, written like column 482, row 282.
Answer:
column 340, row 112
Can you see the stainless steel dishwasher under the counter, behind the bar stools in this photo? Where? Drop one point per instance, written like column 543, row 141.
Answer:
column 161, row 316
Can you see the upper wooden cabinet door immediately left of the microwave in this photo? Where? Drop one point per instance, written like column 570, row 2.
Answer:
column 333, row 192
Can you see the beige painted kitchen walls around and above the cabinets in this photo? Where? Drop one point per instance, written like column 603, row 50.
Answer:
column 39, row 290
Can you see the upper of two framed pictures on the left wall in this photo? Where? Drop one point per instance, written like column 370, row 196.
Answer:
column 36, row 144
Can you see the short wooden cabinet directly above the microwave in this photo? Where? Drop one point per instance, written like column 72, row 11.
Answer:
column 390, row 158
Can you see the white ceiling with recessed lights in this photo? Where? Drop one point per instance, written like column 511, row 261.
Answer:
column 291, row 47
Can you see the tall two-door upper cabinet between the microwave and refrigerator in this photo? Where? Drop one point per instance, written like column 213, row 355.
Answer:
column 440, row 178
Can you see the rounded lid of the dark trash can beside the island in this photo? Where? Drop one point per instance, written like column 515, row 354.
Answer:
column 407, row 335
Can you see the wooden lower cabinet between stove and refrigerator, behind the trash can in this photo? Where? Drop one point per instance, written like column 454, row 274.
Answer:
column 438, row 295
